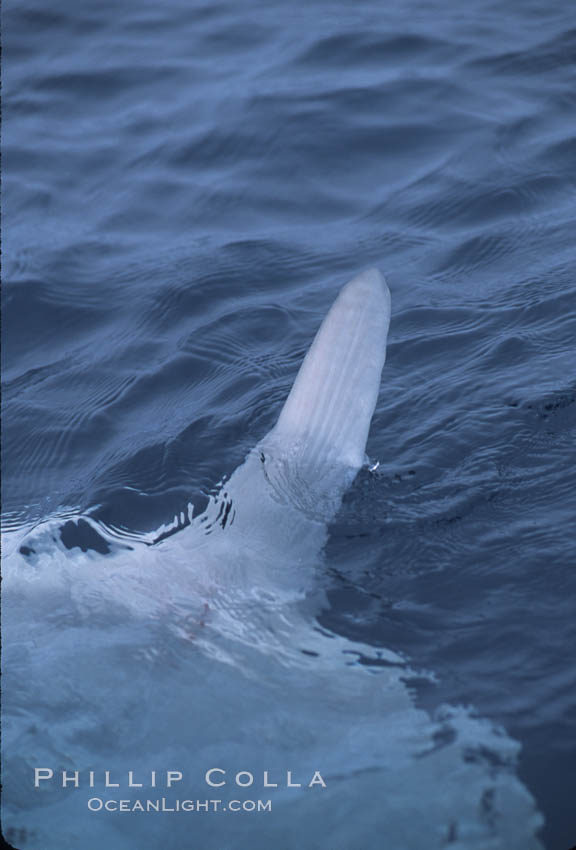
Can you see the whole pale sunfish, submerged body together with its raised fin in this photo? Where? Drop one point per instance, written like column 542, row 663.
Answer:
column 203, row 651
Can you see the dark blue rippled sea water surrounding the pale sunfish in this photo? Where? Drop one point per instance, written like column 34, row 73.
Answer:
column 187, row 185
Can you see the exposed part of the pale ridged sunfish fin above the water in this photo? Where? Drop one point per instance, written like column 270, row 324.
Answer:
column 327, row 415
